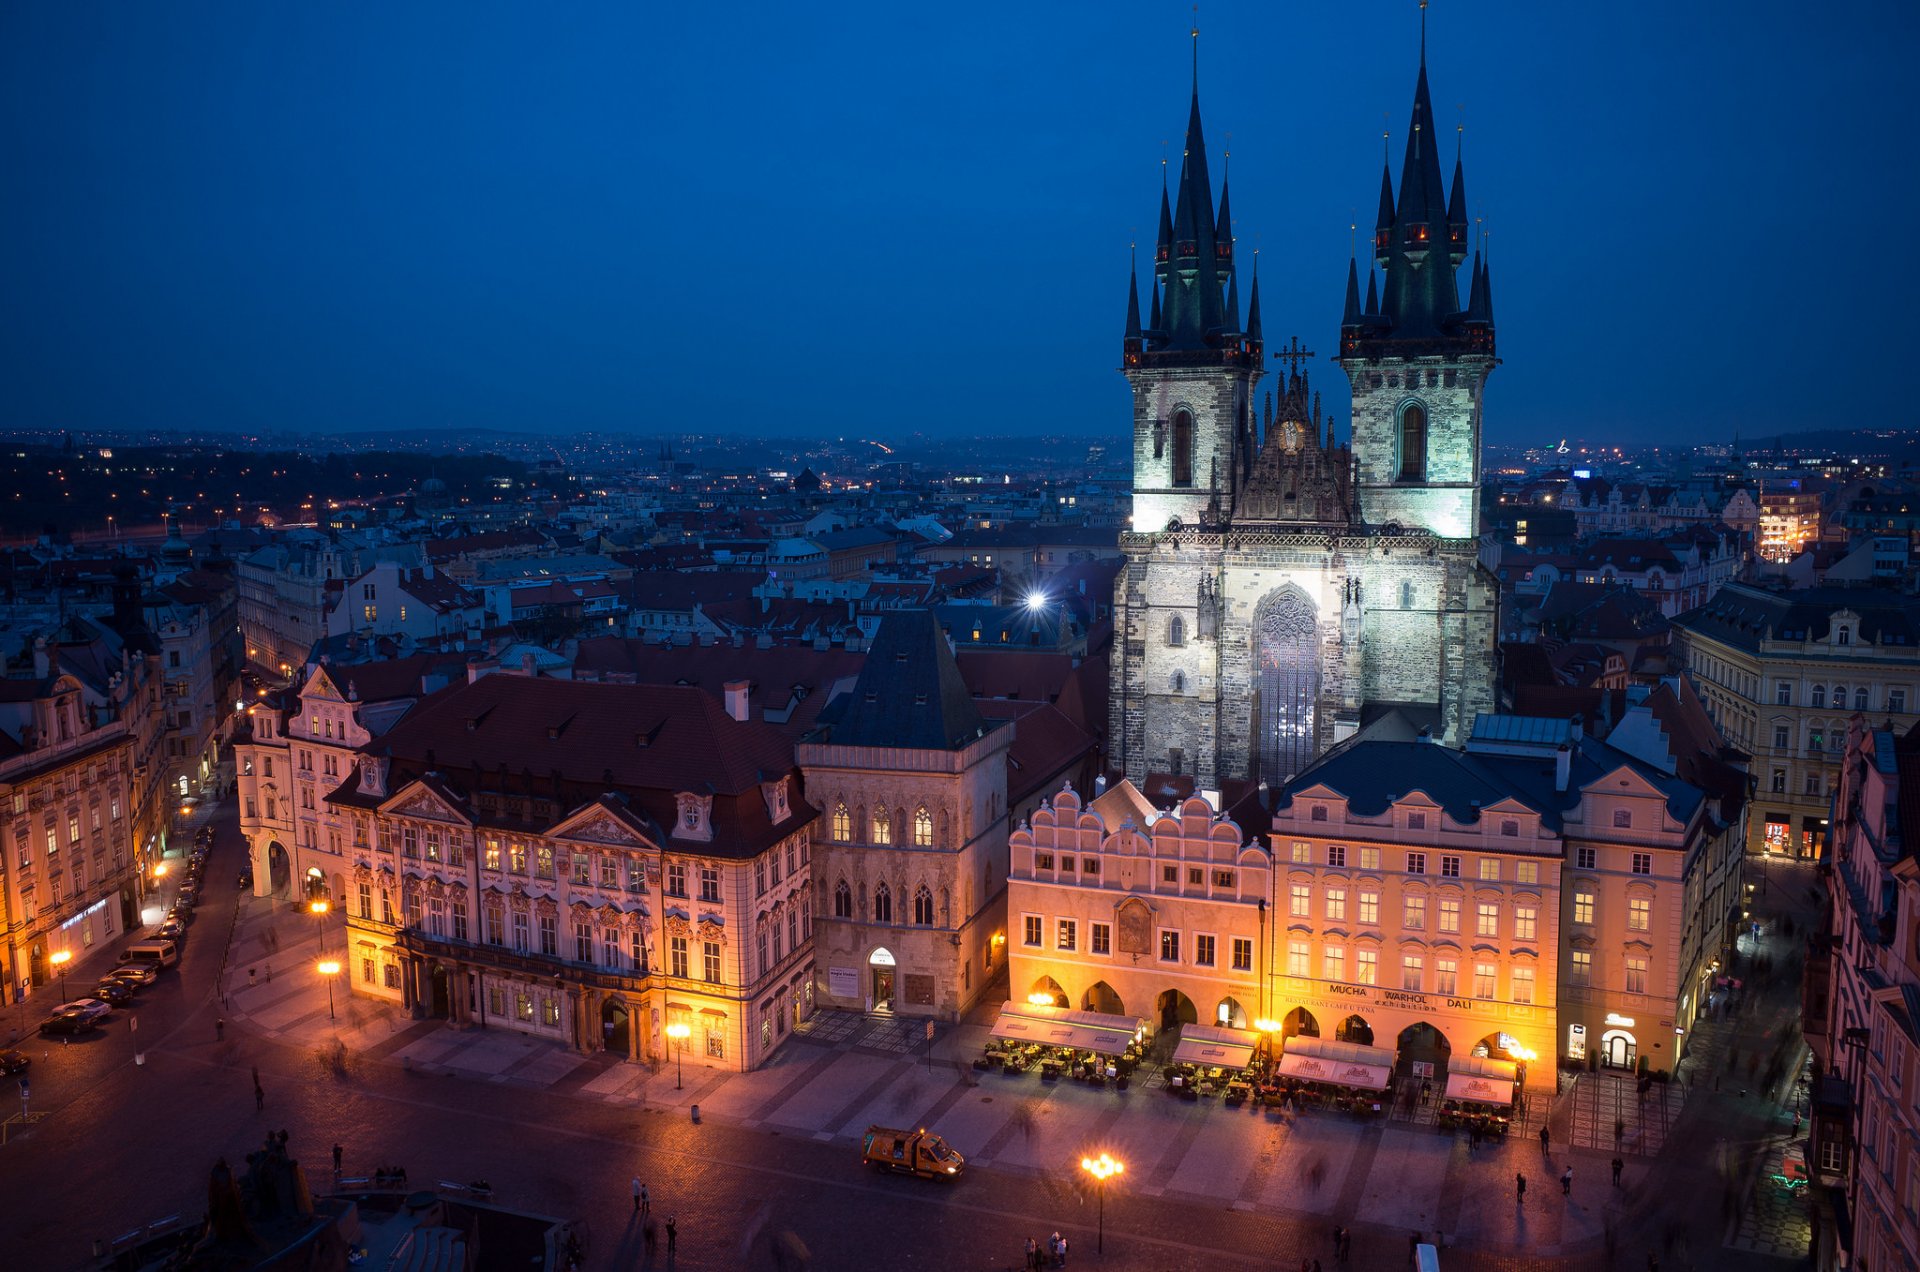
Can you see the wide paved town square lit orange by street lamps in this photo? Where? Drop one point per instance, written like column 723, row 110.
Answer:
column 562, row 1135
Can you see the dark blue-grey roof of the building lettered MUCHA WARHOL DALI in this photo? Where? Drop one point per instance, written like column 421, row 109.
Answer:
column 1374, row 773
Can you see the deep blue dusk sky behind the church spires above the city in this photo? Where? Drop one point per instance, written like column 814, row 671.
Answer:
column 873, row 220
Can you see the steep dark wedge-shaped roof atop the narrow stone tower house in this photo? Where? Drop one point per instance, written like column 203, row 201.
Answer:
column 909, row 695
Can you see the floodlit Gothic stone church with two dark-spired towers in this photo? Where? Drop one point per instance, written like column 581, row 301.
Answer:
column 1282, row 589
